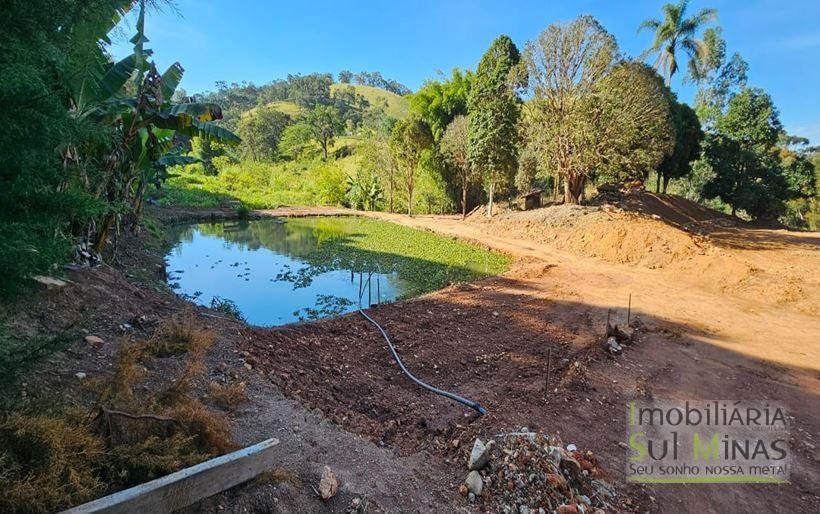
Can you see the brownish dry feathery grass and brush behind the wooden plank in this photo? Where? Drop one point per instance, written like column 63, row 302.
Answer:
column 50, row 462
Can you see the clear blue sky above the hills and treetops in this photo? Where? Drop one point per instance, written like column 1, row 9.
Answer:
column 258, row 41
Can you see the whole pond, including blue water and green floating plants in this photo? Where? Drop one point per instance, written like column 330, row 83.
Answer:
column 279, row 271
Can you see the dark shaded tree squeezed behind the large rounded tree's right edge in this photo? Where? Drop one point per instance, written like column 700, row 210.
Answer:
column 688, row 138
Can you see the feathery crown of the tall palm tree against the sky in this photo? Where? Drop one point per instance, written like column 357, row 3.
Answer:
column 674, row 33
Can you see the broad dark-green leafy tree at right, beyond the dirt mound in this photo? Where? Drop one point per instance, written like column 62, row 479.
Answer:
column 744, row 158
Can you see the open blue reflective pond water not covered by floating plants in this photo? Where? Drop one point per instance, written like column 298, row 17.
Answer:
column 274, row 270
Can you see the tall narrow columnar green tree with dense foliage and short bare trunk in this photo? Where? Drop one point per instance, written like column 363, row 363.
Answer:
column 494, row 109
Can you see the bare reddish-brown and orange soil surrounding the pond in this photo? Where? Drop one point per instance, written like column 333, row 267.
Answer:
column 724, row 310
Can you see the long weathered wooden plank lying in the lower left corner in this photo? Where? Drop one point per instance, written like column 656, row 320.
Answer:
column 187, row 486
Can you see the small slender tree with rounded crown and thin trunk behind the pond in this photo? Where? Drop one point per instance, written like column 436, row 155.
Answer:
column 409, row 139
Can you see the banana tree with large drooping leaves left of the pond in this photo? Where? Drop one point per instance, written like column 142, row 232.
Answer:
column 147, row 125
